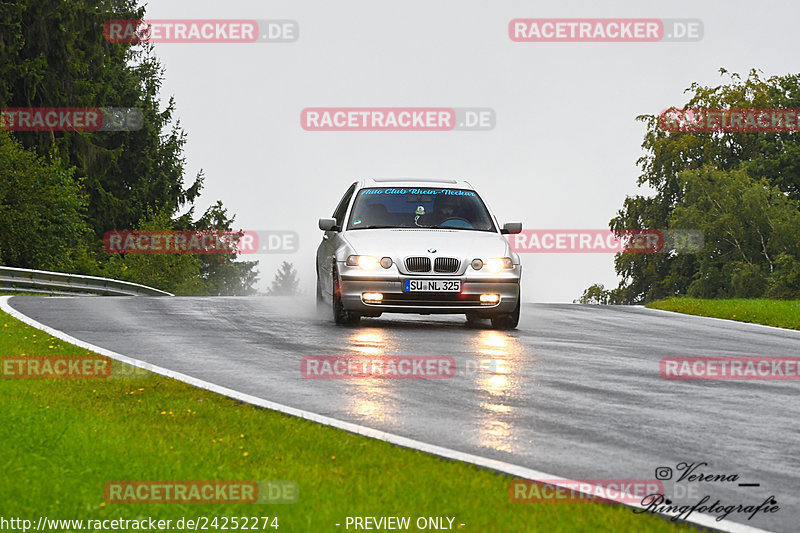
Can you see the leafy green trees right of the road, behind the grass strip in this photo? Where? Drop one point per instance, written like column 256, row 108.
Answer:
column 740, row 188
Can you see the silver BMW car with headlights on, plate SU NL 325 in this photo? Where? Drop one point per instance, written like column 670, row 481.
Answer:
column 417, row 246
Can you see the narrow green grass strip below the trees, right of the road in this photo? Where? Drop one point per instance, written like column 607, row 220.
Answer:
column 779, row 313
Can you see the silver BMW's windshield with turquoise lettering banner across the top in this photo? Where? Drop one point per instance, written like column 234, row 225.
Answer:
column 399, row 207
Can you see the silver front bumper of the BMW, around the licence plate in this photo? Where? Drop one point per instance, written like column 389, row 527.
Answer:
column 395, row 300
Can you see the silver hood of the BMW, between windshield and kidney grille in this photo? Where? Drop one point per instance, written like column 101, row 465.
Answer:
column 400, row 243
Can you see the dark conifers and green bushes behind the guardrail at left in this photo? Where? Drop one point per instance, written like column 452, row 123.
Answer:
column 60, row 191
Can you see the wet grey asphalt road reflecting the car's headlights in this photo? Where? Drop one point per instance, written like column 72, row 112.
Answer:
column 574, row 392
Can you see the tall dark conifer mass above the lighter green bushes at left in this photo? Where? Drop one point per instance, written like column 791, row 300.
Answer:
column 53, row 54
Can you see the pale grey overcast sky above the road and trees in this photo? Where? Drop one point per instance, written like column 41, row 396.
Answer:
column 562, row 154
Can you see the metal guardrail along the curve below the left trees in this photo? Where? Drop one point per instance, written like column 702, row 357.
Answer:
column 25, row 280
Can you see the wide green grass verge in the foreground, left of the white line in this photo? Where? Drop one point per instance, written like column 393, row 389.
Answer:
column 62, row 440
